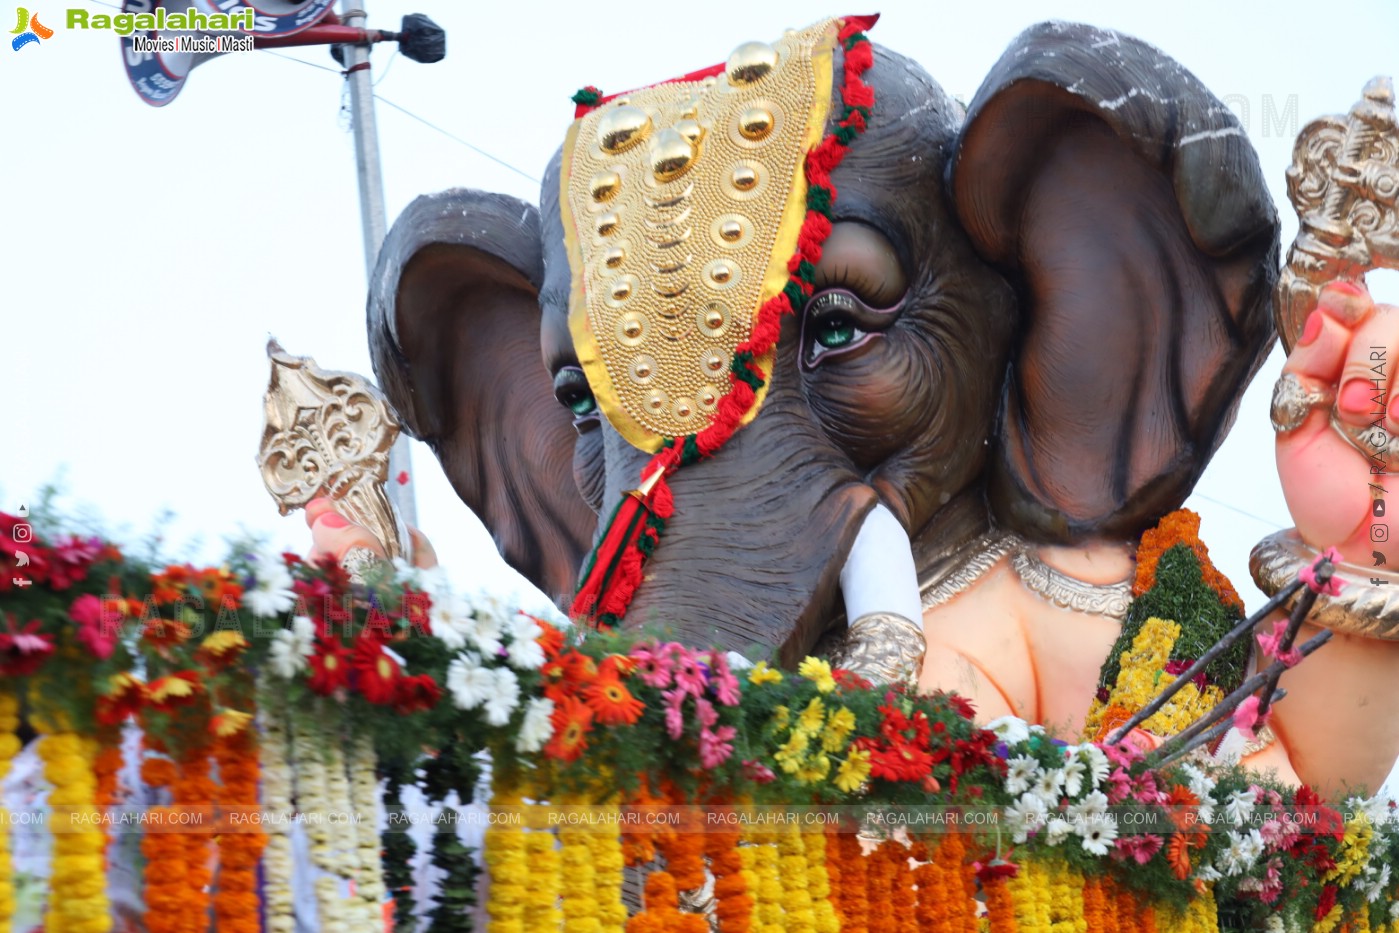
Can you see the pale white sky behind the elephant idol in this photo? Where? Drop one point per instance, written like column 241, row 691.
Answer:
column 148, row 254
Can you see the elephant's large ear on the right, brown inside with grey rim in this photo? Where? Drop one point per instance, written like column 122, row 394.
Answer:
column 1128, row 211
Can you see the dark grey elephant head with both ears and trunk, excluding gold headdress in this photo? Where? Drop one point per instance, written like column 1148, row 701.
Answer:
column 1036, row 314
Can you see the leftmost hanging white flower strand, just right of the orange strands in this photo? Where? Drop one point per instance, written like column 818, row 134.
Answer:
column 279, row 862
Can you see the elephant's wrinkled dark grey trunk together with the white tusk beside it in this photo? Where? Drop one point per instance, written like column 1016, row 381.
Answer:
column 762, row 538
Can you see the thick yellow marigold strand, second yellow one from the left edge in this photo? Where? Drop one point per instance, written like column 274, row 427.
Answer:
column 78, row 881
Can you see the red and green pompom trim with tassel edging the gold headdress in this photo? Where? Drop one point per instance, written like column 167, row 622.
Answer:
column 634, row 529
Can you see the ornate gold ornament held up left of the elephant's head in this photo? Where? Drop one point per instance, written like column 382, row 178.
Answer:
column 329, row 434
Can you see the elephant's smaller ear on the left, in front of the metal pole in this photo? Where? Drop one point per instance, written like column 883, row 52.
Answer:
column 454, row 332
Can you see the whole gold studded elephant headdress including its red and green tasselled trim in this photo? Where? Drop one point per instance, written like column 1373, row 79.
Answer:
column 695, row 215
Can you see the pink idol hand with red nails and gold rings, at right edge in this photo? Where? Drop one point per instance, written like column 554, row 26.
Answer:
column 1337, row 490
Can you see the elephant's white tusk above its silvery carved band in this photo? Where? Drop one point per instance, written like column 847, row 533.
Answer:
column 879, row 574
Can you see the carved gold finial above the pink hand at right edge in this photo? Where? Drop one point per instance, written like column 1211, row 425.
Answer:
column 1344, row 184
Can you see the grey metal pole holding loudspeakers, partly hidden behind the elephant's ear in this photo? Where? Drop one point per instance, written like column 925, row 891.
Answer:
column 376, row 226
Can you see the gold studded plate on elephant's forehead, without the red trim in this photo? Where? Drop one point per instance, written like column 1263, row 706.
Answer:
column 682, row 206
